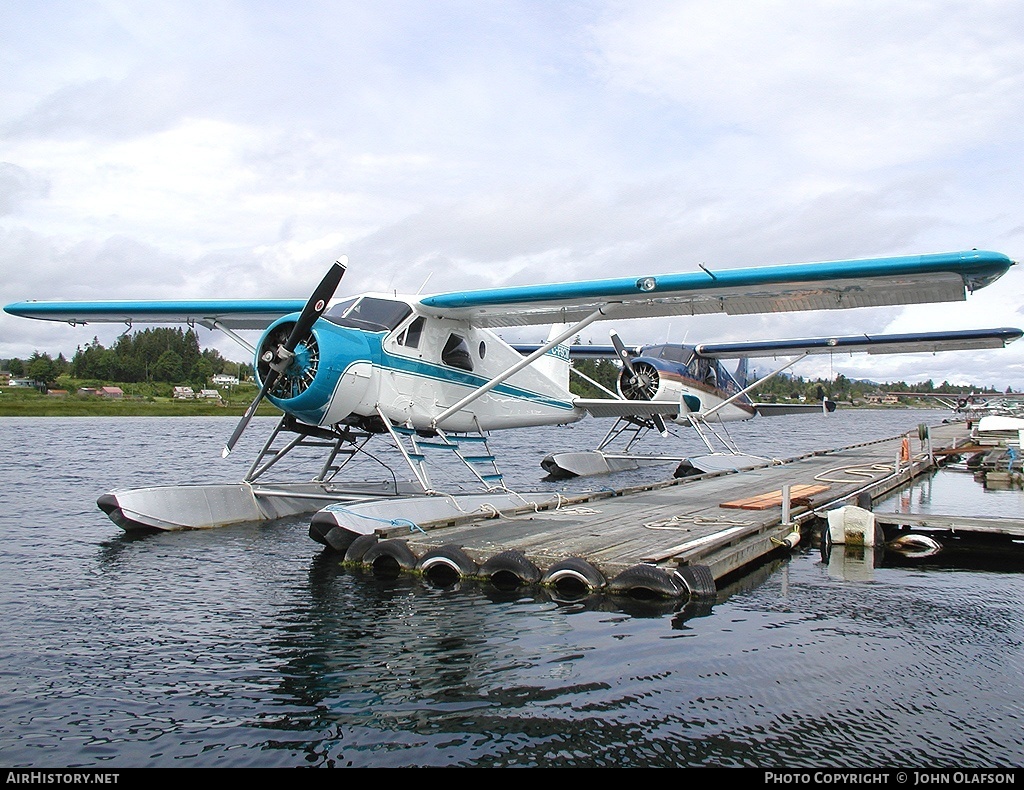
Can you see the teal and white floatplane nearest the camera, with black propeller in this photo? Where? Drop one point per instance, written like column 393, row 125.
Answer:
column 431, row 375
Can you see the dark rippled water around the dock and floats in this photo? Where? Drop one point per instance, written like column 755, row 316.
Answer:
column 248, row 647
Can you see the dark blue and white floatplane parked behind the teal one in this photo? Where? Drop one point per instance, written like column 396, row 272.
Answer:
column 711, row 397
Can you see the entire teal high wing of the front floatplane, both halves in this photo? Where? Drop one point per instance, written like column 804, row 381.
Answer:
column 842, row 284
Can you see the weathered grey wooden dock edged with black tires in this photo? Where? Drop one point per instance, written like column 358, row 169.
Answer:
column 689, row 534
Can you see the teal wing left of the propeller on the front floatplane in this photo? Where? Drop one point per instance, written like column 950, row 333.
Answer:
column 231, row 314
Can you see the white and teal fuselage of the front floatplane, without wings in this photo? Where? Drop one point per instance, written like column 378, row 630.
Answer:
column 376, row 356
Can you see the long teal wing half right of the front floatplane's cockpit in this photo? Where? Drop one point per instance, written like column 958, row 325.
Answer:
column 866, row 283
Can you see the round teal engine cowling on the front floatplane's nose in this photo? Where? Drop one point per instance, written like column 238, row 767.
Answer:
column 327, row 380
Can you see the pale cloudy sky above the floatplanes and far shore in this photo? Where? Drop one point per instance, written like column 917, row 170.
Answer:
column 236, row 148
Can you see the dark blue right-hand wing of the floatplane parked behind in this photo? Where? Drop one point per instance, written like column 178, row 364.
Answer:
column 899, row 344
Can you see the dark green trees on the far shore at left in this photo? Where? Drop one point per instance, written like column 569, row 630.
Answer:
column 166, row 355
